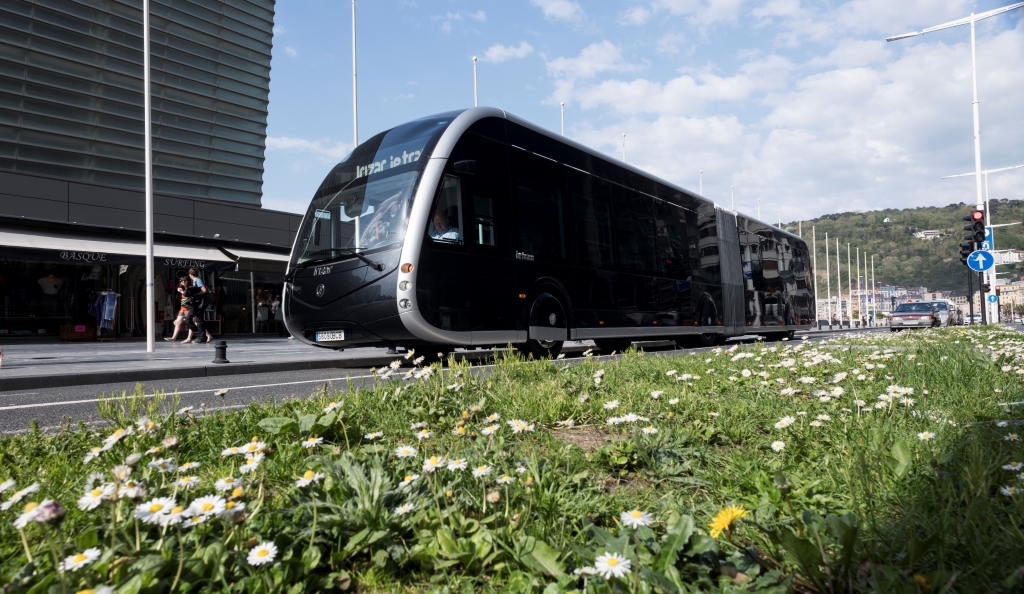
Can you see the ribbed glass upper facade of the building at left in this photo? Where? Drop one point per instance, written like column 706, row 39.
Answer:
column 71, row 94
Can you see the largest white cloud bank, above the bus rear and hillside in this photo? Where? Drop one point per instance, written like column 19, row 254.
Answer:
column 858, row 130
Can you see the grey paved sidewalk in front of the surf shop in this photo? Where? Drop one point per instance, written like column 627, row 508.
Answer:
column 63, row 365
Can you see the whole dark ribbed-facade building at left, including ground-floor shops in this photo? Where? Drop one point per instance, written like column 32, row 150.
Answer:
column 72, row 203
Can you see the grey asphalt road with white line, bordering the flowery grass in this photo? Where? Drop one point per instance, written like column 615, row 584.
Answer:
column 52, row 407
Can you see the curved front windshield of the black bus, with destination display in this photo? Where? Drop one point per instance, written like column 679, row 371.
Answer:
column 364, row 203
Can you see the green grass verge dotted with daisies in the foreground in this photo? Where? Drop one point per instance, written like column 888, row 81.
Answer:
column 860, row 504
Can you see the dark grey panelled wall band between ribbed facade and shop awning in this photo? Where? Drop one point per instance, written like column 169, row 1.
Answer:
column 53, row 200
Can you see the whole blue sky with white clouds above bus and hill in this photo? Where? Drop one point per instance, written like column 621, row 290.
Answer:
column 801, row 104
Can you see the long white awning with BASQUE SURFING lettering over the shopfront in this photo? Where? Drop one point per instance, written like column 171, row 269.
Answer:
column 55, row 246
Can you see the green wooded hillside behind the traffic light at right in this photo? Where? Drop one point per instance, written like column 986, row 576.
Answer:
column 901, row 258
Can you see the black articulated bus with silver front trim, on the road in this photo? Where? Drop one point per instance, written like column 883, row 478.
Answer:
column 478, row 229
